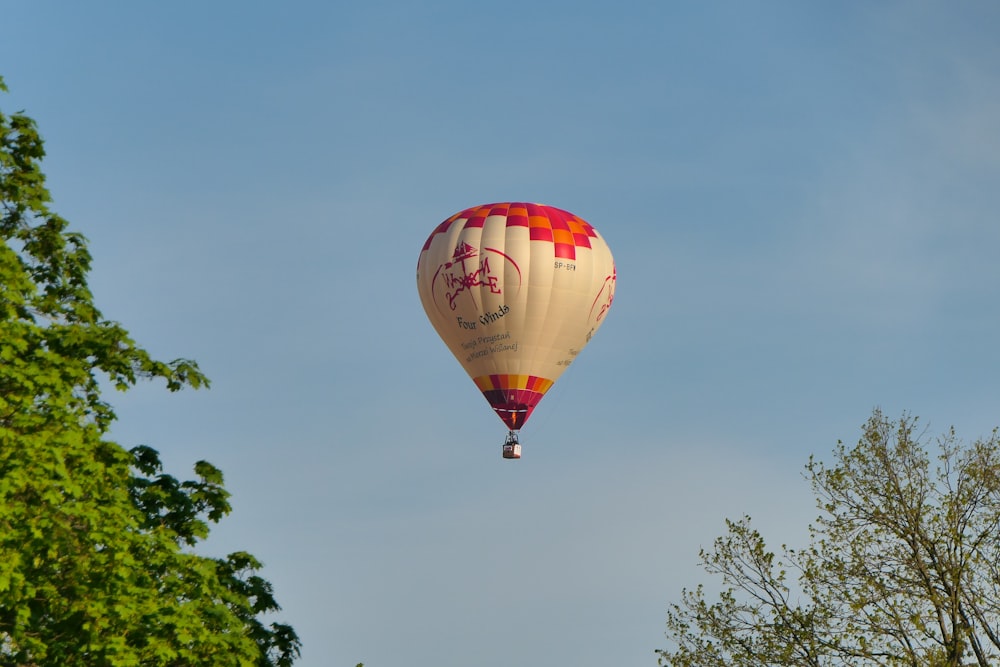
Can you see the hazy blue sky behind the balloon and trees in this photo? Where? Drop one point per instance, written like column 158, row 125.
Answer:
column 801, row 199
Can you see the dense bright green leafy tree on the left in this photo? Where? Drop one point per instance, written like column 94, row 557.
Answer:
column 96, row 558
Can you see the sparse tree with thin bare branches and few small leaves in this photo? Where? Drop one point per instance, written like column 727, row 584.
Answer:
column 903, row 566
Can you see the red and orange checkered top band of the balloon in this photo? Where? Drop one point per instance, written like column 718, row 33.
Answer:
column 564, row 230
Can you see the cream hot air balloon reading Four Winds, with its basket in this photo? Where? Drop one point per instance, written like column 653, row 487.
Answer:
column 515, row 291
